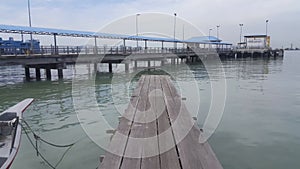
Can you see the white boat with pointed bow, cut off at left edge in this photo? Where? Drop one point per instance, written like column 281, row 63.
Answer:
column 10, row 132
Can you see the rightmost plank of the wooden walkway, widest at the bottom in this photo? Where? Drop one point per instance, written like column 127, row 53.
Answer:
column 192, row 153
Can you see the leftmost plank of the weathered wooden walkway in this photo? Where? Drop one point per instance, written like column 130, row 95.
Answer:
column 114, row 156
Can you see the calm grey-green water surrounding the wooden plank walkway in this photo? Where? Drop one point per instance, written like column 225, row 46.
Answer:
column 258, row 129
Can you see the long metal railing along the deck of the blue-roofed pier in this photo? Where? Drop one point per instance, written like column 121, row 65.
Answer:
column 113, row 50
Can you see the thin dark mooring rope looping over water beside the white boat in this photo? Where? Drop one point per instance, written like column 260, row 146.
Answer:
column 36, row 137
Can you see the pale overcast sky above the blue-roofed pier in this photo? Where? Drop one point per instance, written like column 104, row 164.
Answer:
column 92, row 15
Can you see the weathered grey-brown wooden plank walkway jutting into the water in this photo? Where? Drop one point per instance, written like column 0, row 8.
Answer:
column 157, row 132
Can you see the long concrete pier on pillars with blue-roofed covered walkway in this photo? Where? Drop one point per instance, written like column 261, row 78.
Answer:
column 57, row 57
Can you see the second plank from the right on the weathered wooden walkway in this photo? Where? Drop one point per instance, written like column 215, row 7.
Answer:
column 169, row 158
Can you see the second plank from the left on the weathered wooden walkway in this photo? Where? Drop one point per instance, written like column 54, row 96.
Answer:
column 134, row 148
